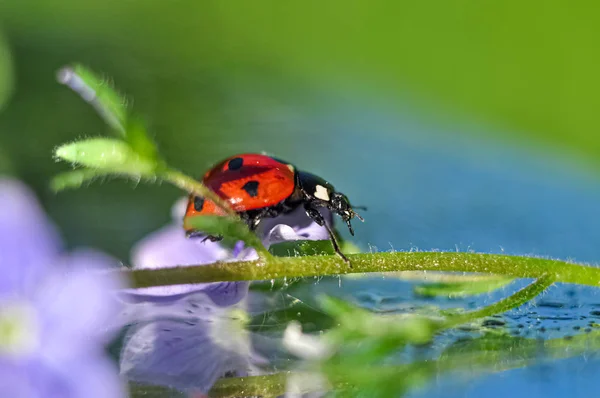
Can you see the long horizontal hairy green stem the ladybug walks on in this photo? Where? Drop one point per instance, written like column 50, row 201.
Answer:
column 279, row 267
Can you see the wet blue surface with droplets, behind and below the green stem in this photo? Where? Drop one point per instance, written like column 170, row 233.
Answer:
column 439, row 191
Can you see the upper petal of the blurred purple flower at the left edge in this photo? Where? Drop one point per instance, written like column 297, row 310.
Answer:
column 27, row 239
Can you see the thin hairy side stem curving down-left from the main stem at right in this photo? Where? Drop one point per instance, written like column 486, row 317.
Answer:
column 516, row 300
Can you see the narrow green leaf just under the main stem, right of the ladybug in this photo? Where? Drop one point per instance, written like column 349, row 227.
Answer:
column 462, row 289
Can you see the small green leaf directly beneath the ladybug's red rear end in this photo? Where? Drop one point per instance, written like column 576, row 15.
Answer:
column 228, row 227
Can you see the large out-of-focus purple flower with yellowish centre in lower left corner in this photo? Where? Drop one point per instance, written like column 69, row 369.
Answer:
column 54, row 308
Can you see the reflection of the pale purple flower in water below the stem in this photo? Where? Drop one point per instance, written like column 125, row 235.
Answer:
column 187, row 353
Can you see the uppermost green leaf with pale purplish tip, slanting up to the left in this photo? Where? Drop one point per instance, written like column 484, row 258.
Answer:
column 98, row 92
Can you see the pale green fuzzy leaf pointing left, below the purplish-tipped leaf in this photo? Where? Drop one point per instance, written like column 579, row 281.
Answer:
column 109, row 155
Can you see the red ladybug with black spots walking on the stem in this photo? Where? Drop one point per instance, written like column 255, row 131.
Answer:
column 259, row 186
